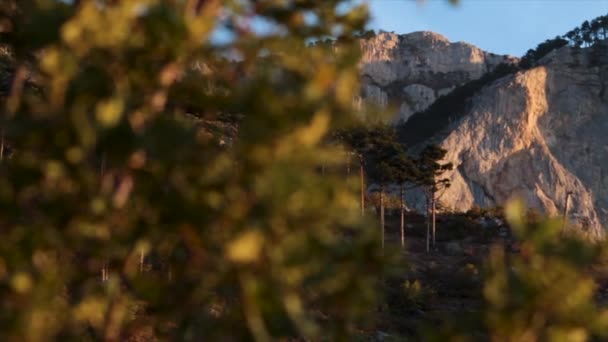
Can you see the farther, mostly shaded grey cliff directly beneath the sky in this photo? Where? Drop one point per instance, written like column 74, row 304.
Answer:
column 408, row 72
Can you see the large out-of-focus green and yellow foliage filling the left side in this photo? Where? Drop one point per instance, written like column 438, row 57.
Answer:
column 116, row 115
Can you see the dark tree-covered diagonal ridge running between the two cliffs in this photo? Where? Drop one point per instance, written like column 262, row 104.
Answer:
column 425, row 124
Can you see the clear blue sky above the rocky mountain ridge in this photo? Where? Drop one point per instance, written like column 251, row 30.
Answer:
column 499, row 26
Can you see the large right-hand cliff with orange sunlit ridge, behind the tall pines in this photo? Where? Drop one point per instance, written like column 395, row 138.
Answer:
column 538, row 134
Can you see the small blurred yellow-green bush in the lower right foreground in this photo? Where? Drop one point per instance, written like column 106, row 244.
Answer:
column 544, row 292
